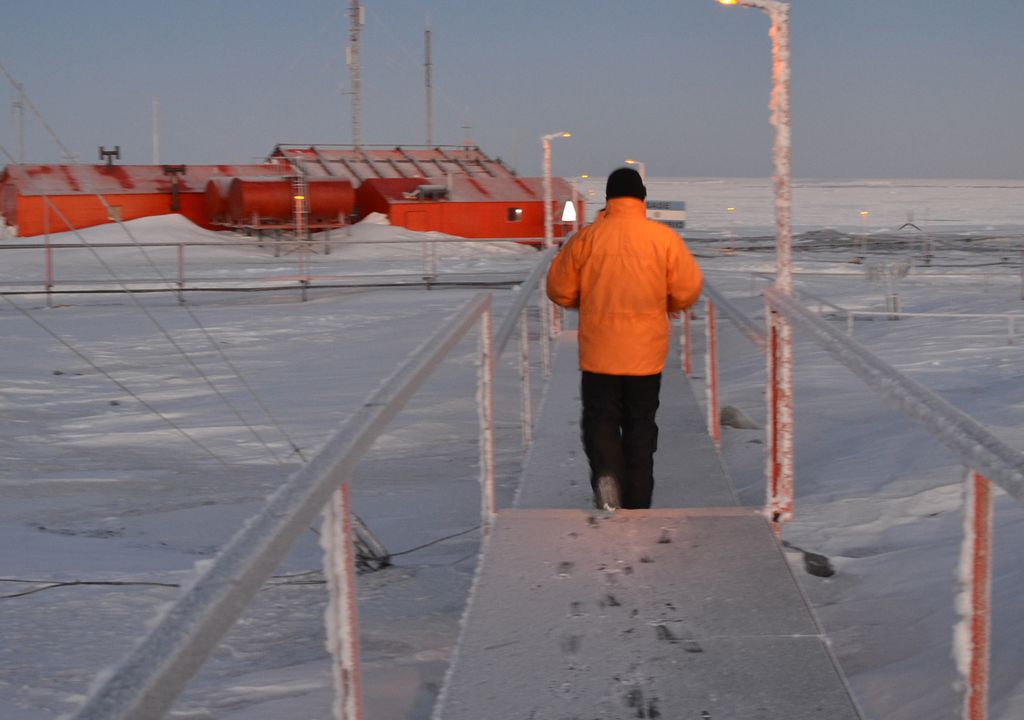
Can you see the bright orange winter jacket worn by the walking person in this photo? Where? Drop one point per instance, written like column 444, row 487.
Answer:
column 625, row 274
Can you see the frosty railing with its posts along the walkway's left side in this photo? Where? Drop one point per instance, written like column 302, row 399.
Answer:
column 149, row 681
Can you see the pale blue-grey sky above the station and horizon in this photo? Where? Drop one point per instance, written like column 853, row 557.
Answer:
column 897, row 89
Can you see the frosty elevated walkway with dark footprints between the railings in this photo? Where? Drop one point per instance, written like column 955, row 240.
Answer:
column 686, row 611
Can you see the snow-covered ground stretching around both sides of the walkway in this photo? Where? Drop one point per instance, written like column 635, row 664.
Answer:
column 122, row 465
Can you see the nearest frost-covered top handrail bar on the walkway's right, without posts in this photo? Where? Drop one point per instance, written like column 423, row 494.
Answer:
column 976, row 447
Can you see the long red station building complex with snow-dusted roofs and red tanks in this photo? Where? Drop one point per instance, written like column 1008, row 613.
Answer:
column 458, row 191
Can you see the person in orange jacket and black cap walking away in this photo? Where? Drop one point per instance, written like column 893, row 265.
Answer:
column 625, row 274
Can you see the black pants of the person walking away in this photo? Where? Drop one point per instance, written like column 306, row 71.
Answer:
column 620, row 435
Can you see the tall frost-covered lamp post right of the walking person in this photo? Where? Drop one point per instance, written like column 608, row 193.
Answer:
column 780, row 467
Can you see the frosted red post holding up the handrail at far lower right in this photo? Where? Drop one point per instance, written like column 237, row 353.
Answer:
column 972, row 636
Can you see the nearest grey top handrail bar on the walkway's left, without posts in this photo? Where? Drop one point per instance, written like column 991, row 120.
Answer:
column 152, row 676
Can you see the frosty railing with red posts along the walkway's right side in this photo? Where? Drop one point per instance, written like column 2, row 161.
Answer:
column 989, row 460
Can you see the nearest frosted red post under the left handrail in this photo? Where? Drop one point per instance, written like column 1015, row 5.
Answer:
column 337, row 540
